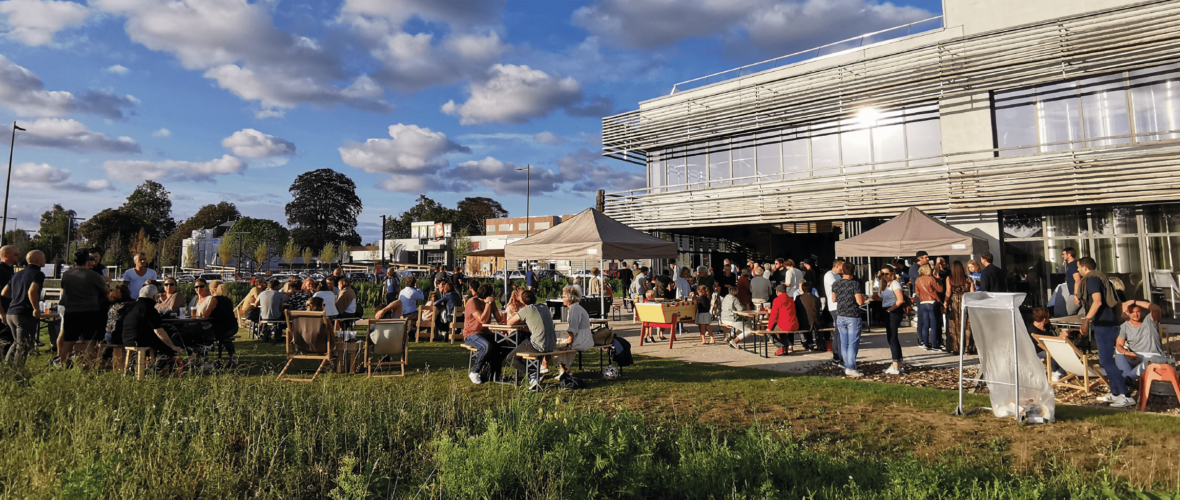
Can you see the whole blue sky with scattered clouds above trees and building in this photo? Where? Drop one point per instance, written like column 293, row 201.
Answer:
column 232, row 100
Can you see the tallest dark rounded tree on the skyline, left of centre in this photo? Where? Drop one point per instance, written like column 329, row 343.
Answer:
column 324, row 209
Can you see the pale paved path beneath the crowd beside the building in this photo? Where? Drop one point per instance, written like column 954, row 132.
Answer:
column 874, row 350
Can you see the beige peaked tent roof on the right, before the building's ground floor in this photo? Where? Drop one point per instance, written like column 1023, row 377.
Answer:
column 908, row 234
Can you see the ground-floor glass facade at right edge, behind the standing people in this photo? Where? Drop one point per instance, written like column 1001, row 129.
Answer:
column 1139, row 245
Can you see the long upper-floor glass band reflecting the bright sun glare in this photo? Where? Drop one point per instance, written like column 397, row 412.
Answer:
column 873, row 140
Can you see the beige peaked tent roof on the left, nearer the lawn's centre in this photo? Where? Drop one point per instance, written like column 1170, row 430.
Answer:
column 591, row 236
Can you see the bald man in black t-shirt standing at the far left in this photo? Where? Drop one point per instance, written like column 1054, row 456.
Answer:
column 24, row 313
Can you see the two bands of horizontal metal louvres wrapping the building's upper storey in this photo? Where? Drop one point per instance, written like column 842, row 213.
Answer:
column 959, row 74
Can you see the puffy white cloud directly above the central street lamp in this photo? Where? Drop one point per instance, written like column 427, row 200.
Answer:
column 516, row 95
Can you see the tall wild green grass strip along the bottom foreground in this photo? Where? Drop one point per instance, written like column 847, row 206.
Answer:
column 74, row 435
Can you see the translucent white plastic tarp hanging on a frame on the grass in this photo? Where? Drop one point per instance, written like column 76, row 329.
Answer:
column 995, row 318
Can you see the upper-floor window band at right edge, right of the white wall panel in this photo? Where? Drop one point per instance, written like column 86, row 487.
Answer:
column 1112, row 110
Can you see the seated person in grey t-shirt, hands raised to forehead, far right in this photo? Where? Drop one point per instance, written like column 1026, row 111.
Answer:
column 1139, row 339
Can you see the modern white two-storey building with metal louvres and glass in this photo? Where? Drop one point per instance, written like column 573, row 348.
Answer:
column 1037, row 124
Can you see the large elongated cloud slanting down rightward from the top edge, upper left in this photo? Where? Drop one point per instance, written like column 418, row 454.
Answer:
column 237, row 44
